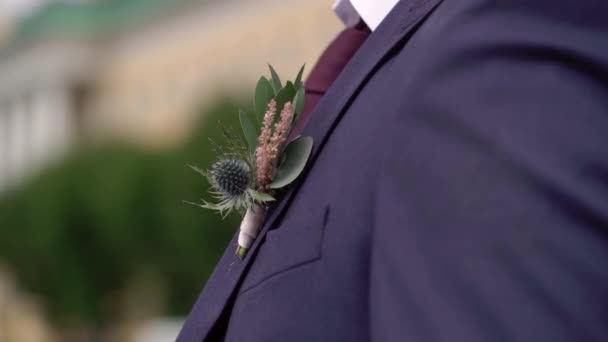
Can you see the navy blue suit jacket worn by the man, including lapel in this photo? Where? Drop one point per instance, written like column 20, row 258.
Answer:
column 457, row 190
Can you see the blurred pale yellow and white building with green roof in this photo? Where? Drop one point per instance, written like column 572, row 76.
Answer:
column 139, row 69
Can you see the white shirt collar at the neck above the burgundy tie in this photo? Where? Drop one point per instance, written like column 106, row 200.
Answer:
column 371, row 11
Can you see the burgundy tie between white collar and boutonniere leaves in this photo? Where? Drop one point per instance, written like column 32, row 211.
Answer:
column 328, row 67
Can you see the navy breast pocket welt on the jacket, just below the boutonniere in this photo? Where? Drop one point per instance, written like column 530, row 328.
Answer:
column 296, row 242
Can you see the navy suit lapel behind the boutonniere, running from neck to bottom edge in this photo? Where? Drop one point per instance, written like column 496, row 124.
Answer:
column 394, row 30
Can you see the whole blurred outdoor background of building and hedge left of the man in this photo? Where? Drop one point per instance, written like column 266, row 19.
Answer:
column 102, row 105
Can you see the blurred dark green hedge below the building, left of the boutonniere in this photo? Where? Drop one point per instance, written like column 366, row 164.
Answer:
column 78, row 233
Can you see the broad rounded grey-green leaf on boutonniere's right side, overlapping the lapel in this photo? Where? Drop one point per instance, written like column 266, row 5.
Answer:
column 296, row 155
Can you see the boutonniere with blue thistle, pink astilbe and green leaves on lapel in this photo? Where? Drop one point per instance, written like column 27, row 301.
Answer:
column 256, row 165
